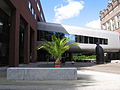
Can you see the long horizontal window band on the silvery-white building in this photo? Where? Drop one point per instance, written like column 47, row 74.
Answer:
column 45, row 35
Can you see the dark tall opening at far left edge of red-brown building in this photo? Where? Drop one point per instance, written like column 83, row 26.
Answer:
column 4, row 38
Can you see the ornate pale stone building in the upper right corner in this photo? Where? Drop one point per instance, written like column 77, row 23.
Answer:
column 110, row 16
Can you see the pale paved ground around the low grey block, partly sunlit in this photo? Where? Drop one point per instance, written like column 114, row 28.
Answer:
column 89, row 78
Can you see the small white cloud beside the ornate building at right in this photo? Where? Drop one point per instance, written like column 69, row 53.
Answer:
column 94, row 24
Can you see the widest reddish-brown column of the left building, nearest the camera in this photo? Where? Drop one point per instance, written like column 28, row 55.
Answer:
column 14, row 39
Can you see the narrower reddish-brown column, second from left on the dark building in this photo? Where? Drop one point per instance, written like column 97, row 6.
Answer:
column 27, row 45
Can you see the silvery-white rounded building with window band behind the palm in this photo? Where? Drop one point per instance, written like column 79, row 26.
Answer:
column 86, row 37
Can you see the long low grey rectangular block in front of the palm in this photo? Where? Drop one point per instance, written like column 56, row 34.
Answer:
column 41, row 73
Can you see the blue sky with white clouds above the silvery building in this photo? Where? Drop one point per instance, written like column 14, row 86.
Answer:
column 83, row 13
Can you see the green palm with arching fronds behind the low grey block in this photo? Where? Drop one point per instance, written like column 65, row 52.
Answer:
column 57, row 47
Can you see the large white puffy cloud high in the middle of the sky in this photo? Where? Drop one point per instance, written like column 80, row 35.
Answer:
column 70, row 10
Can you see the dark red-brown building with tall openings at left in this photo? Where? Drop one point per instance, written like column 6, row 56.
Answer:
column 18, row 31
